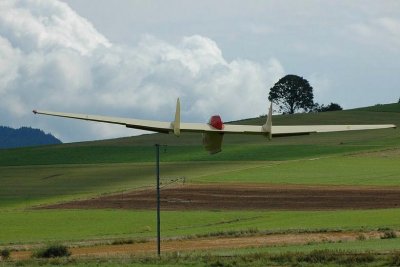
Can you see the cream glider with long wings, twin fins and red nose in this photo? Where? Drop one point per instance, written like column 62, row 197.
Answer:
column 214, row 130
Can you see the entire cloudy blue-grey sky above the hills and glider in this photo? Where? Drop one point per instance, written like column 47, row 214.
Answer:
column 134, row 58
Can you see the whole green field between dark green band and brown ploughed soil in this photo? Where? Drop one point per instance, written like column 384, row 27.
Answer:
column 26, row 186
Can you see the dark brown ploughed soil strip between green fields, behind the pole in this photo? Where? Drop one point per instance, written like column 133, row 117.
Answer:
column 248, row 197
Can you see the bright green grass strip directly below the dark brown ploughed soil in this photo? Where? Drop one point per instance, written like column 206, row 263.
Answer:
column 20, row 227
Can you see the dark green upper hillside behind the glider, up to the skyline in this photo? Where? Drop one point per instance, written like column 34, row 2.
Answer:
column 188, row 147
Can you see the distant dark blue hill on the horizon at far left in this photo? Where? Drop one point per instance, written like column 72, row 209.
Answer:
column 25, row 136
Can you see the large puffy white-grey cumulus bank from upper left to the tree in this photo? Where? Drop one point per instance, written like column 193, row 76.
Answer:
column 51, row 58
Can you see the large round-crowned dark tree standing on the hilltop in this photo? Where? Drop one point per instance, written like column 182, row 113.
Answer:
column 292, row 93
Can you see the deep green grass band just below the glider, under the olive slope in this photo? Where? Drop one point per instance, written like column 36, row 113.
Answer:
column 115, row 154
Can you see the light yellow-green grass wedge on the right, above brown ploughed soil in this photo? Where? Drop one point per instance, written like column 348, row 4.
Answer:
column 350, row 170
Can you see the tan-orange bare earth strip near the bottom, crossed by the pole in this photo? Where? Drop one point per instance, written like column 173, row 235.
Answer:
column 199, row 244
